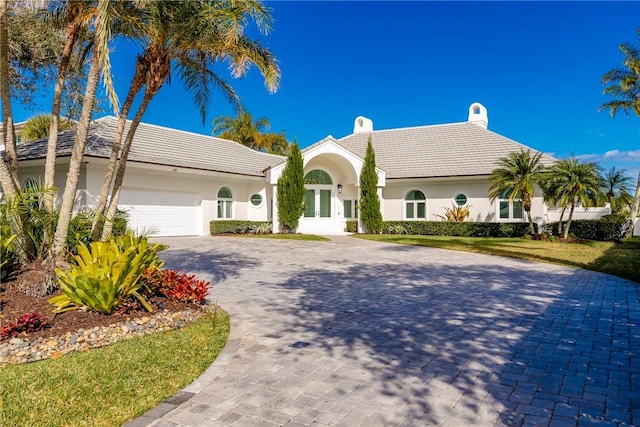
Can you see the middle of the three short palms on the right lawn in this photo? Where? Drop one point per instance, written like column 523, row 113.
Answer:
column 580, row 183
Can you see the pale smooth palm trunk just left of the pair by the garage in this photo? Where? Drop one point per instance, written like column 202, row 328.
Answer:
column 69, row 195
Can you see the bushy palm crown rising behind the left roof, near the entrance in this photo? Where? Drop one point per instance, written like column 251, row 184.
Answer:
column 250, row 133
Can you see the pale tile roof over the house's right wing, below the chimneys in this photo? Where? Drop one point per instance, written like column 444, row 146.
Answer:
column 456, row 149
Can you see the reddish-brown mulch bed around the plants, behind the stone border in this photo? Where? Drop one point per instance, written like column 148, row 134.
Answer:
column 15, row 303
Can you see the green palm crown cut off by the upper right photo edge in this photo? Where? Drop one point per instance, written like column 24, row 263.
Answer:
column 624, row 83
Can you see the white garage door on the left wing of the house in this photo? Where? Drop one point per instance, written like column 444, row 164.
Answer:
column 166, row 213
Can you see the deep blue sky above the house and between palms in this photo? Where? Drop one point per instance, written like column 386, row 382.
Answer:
column 535, row 66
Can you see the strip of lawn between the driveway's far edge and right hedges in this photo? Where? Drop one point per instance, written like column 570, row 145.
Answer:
column 619, row 259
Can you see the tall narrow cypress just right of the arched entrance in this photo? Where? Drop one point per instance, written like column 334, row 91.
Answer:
column 369, row 201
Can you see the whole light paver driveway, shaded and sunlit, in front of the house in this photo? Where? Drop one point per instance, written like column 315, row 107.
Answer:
column 353, row 332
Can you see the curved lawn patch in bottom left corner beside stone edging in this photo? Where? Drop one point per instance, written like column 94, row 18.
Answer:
column 111, row 385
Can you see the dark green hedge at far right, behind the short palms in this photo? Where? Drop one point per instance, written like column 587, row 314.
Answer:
column 610, row 227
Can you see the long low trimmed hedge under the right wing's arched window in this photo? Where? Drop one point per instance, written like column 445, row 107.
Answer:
column 464, row 229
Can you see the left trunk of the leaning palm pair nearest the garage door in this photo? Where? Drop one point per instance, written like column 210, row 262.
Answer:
column 137, row 82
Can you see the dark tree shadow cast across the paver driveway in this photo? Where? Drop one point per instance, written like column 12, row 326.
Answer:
column 480, row 345
